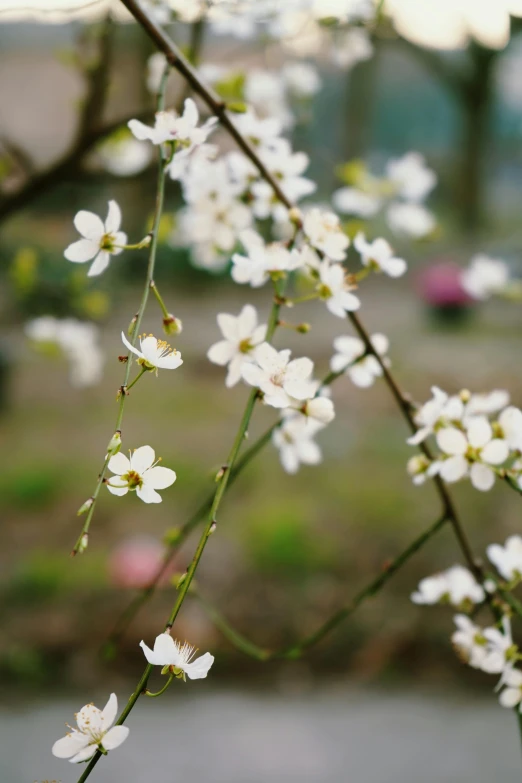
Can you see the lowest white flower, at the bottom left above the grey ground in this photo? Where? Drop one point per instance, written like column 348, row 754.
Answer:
column 95, row 732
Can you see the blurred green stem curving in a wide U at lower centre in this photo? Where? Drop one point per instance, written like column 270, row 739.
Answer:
column 296, row 650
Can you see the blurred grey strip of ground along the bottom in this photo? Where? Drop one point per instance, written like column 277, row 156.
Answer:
column 322, row 736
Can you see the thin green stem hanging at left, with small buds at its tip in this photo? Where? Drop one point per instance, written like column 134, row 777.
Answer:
column 150, row 274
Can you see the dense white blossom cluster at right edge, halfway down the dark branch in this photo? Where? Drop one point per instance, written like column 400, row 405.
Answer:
column 478, row 436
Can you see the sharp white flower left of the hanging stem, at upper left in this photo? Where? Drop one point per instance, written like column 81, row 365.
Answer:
column 100, row 240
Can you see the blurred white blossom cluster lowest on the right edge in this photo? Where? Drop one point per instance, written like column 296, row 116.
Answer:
column 490, row 649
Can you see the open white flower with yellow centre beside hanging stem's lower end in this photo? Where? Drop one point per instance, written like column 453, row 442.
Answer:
column 141, row 473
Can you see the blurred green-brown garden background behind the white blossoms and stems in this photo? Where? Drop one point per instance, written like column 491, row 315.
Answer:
column 289, row 550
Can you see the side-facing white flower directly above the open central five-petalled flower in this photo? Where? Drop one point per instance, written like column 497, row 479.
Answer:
column 263, row 261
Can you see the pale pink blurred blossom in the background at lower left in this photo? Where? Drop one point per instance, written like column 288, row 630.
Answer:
column 136, row 561
